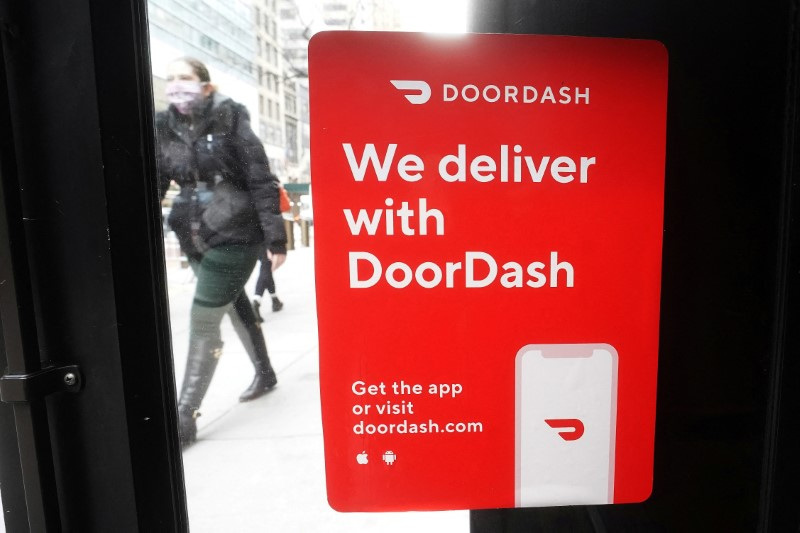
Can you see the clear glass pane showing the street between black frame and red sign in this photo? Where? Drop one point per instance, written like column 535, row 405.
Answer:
column 256, row 465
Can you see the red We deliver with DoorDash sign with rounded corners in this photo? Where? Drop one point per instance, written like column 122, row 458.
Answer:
column 488, row 220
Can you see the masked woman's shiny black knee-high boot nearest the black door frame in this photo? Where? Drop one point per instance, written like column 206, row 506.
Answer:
column 203, row 357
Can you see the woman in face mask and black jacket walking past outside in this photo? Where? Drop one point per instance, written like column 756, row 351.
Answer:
column 225, row 216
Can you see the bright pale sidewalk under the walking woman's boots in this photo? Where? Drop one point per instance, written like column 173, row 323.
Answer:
column 259, row 466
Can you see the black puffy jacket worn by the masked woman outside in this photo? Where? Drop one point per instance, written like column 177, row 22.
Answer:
column 228, row 194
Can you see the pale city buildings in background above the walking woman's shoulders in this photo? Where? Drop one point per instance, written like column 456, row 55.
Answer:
column 257, row 53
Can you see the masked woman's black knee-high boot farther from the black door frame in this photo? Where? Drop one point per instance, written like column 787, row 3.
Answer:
column 249, row 330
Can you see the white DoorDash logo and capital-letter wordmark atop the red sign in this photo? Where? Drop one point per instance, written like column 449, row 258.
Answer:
column 419, row 92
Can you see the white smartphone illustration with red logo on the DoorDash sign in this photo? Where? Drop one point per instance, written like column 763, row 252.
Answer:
column 566, row 406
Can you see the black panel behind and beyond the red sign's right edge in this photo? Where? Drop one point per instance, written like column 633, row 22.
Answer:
column 726, row 421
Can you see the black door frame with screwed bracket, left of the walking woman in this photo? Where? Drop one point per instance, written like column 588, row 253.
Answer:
column 80, row 109
